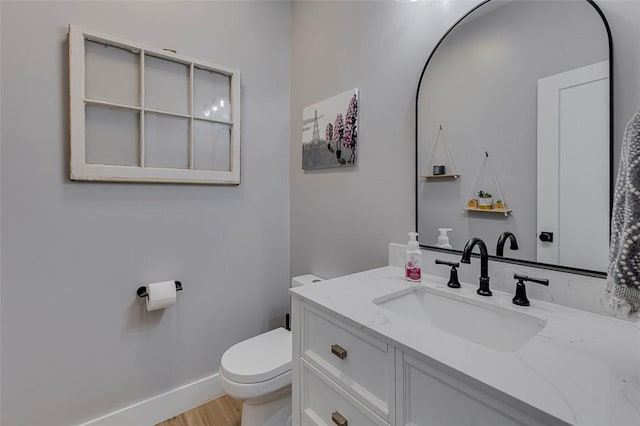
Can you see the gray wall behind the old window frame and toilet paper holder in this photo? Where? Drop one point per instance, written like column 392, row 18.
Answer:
column 76, row 341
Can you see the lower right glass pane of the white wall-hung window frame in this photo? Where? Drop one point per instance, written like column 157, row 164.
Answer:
column 211, row 142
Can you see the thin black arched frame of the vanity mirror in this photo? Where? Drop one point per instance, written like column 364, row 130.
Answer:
column 588, row 272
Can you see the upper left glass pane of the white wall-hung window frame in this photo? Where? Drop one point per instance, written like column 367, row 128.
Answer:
column 112, row 74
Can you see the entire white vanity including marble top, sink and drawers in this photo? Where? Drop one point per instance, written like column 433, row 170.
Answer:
column 371, row 362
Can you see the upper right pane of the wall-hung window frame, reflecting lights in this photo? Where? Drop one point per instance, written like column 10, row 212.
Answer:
column 211, row 95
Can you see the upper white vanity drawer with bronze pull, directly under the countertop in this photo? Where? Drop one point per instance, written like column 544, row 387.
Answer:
column 361, row 364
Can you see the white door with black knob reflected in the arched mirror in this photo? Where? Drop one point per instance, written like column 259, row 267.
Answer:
column 573, row 175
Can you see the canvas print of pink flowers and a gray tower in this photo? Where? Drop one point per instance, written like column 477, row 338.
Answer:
column 330, row 132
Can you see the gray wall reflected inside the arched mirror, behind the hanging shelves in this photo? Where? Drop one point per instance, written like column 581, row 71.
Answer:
column 482, row 86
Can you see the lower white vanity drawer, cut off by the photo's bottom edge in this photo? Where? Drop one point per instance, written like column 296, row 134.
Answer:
column 326, row 403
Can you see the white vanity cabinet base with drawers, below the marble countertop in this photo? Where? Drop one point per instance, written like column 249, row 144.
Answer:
column 344, row 376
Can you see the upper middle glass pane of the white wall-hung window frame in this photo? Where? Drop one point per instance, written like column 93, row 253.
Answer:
column 166, row 85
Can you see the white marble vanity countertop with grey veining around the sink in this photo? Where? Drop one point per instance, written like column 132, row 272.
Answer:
column 581, row 368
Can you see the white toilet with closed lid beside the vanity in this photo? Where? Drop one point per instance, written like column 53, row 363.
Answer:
column 257, row 371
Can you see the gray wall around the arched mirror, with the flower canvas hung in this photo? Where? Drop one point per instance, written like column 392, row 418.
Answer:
column 342, row 220
